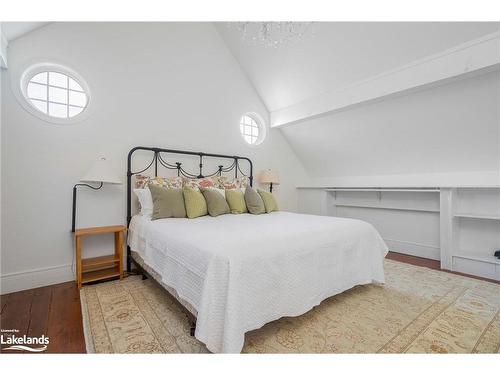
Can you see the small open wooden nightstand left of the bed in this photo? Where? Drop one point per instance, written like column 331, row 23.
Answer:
column 99, row 268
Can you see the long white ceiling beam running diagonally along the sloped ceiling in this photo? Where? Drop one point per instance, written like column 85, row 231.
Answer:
column 473, row 57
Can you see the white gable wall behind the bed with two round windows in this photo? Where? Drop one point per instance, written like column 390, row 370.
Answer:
column 170, row 85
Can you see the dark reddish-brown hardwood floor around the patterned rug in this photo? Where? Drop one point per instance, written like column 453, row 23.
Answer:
column 55, row 311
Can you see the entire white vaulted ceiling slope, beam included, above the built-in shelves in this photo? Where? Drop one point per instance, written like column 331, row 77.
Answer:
column 421, row 121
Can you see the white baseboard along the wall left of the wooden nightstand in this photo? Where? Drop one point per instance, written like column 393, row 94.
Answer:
column 16, row 281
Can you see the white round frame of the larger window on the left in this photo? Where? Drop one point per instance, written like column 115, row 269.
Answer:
column 25, row 101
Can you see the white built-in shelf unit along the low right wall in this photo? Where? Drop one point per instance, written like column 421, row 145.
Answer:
column 460, row 226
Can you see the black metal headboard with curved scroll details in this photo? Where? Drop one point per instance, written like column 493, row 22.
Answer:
column 159, row 160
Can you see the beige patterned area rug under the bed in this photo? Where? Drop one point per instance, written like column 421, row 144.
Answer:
column 418, row 310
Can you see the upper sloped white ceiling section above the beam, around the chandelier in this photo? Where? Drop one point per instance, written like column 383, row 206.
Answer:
column 338, row 54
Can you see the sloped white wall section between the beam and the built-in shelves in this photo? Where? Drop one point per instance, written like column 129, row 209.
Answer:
column 447, row 134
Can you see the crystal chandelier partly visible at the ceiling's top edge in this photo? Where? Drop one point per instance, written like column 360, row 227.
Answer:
column 272, row 34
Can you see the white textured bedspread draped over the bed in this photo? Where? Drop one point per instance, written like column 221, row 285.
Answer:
column 242, row 271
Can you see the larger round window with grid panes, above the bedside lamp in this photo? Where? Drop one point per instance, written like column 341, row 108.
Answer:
column 54, row 93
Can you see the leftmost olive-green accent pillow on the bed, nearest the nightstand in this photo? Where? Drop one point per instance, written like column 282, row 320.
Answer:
column 166, row 202
